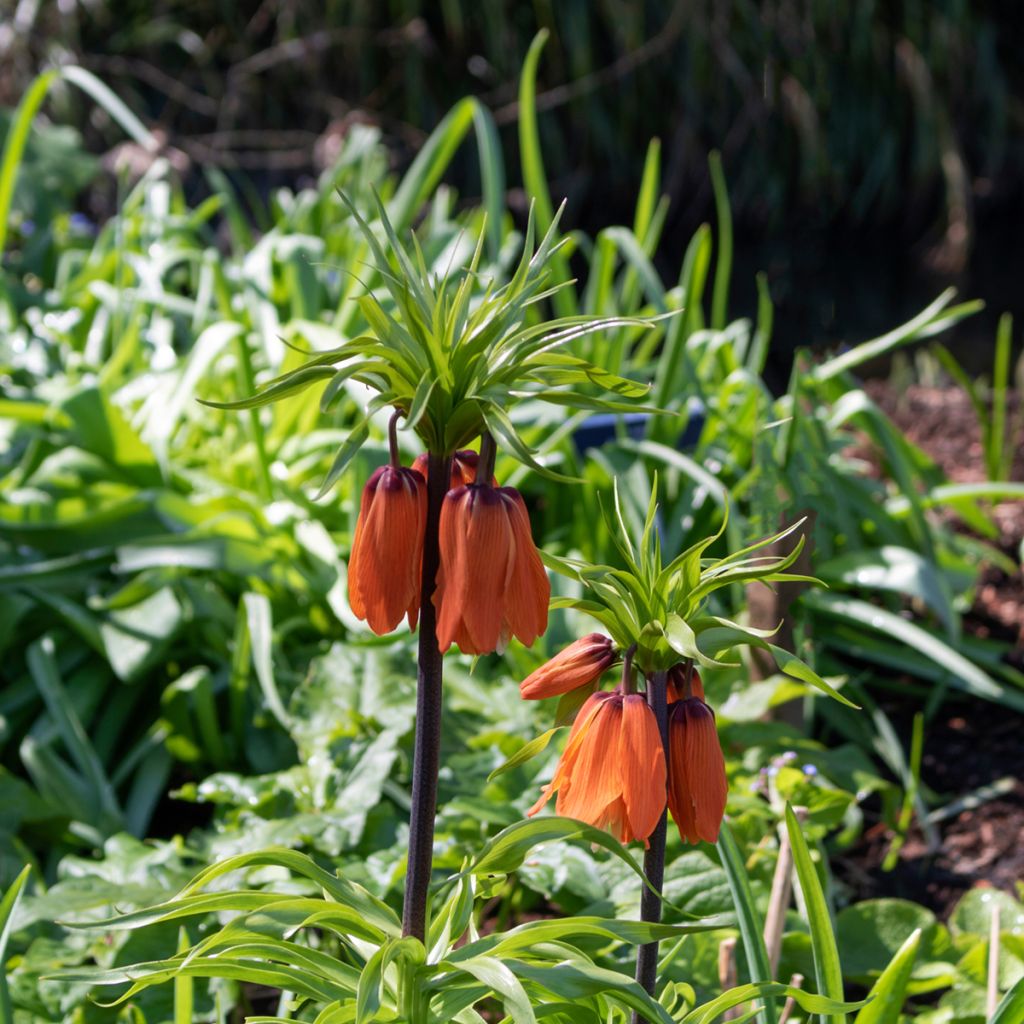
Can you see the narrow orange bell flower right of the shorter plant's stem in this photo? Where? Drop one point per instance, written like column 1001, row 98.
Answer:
column 698, row 787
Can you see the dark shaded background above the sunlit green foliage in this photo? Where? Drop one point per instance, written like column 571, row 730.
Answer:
column 874, row 151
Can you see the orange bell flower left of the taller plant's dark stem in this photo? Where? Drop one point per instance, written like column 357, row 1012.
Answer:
column 388, row 549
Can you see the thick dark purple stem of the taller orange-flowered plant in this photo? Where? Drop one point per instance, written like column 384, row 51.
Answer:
column 429, row 716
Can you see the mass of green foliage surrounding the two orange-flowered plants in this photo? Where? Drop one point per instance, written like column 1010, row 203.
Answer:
column 175, row 617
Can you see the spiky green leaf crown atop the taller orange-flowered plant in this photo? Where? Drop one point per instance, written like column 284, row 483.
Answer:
column 454, row 353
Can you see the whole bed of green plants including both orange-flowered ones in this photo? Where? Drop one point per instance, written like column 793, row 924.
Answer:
column 278, row 511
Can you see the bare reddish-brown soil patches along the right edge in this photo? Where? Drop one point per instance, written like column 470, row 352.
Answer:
column 969, row 745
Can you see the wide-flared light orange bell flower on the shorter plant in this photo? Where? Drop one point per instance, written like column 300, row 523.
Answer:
column 612, row 775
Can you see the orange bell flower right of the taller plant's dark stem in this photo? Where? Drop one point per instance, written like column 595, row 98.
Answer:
column 491, row 584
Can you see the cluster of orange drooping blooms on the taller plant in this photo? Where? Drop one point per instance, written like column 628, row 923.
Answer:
column 491, row 582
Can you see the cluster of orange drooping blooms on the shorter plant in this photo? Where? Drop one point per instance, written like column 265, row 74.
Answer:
column 613, row 774
